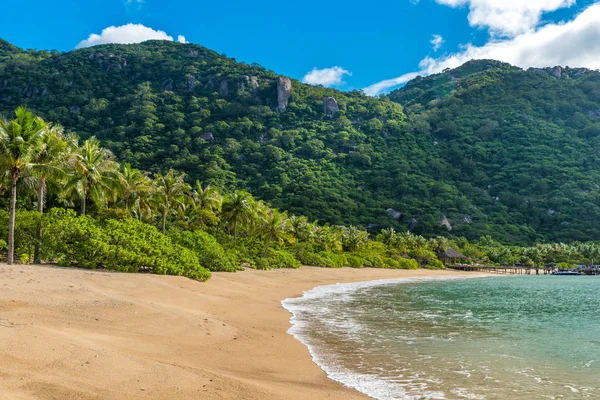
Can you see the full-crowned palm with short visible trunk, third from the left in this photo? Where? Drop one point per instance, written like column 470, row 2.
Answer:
column 95, row 173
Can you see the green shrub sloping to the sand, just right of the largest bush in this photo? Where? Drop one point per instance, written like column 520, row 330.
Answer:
column 209, row 252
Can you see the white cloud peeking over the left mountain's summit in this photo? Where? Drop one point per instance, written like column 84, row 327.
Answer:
column 130, row 33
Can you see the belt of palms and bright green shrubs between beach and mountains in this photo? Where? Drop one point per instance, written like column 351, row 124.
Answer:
column 109, row 215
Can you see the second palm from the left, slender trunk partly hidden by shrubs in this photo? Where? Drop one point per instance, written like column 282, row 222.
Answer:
column 49, row 163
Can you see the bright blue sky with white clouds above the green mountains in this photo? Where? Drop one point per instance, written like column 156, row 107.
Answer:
column 369, row 43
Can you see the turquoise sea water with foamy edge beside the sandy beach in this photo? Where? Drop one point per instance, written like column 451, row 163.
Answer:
column 526, row 337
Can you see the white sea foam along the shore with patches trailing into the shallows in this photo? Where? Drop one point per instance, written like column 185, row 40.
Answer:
column 368, row 383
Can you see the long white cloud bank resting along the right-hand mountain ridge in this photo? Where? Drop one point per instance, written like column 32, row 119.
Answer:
column 575, row 43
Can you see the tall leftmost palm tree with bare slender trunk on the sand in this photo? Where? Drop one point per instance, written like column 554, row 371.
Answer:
column 20, row 143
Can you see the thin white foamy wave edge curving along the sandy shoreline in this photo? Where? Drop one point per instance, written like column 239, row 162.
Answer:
column 366, row 384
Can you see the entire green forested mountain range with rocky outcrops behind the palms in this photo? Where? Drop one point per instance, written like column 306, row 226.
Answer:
column 486, row 149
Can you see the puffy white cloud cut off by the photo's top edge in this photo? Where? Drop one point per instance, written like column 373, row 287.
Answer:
column 507, row 18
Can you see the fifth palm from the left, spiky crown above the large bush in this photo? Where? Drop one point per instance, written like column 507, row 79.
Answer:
column 170, row 195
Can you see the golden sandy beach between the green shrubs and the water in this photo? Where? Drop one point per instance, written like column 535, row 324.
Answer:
column 79, row 334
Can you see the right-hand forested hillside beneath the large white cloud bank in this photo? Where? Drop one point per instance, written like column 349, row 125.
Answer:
column 527, row 143
